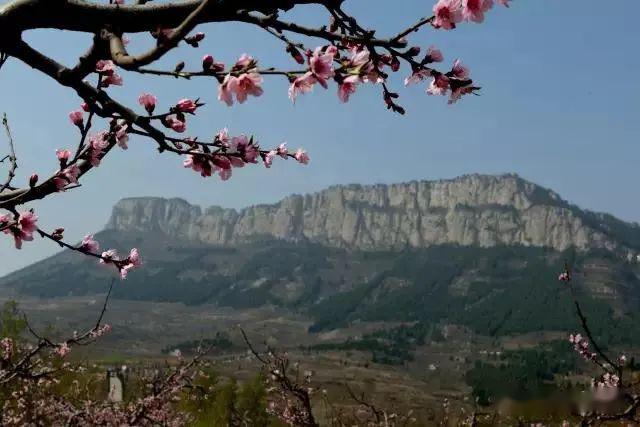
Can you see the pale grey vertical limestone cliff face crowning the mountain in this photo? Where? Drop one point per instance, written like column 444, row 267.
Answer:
column 476, row 210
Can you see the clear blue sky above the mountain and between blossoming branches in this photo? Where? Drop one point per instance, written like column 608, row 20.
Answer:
column 560, row 106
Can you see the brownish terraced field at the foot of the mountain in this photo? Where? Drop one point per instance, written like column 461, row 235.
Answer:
column 142, row 330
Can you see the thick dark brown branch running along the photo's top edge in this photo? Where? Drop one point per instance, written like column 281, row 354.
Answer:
column 79, row 15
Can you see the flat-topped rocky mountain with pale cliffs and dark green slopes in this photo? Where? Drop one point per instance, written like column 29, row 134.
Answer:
column 479, row 251
